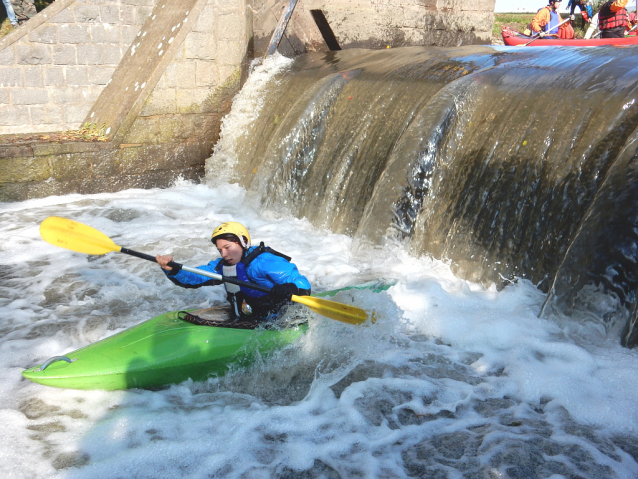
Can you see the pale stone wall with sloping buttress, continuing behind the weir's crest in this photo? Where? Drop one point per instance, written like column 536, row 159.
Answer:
column 160, row 74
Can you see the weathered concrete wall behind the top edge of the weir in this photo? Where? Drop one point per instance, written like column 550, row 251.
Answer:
column 377, row 23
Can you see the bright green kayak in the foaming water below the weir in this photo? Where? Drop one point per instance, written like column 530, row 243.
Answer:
column 169, row 349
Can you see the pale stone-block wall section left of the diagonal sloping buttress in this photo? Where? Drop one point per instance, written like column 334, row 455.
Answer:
column 53, row 68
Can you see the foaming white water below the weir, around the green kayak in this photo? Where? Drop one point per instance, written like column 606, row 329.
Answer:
column 454, row 380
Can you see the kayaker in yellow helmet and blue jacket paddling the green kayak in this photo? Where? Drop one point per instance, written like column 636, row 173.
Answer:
column 255, row 264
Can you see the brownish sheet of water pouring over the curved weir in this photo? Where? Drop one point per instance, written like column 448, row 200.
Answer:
column 510, row 163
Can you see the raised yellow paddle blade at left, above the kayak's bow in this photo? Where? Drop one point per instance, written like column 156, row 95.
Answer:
column 76, row 236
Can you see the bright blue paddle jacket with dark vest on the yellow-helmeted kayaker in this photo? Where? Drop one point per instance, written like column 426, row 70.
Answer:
column 259, row 265
